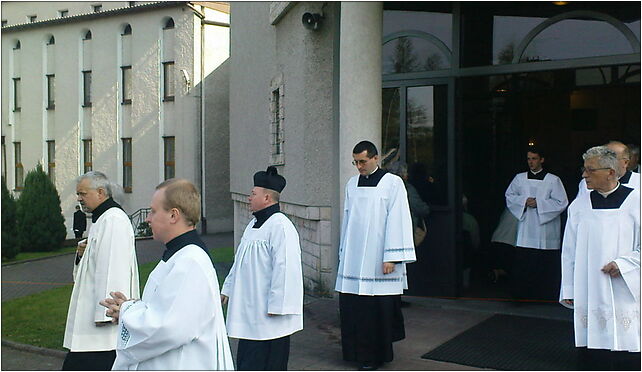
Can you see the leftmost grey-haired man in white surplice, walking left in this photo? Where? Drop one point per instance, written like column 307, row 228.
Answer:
column 105, row 261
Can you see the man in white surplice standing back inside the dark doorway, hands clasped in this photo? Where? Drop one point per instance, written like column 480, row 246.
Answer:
column 536, row 198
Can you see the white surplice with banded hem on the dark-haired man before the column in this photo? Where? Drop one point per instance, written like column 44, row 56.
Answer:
column 376, row 228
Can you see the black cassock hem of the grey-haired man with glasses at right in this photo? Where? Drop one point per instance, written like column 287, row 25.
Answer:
column 607, row 360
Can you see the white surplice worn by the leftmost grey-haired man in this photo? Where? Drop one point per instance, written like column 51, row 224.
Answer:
column 108, row 264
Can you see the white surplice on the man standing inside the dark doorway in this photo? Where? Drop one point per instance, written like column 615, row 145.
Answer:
column 539, row 227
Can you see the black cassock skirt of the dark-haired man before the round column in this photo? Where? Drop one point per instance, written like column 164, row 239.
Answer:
column 369, row 326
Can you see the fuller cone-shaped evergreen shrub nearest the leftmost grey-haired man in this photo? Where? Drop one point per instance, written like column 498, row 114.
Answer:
column 41, row 226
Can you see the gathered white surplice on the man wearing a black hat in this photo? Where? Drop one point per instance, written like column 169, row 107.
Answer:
column 266, row 277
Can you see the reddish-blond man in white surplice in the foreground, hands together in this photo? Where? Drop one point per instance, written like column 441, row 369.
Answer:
column 178, row 324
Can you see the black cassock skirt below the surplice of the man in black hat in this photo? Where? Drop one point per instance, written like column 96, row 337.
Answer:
column 268, row 355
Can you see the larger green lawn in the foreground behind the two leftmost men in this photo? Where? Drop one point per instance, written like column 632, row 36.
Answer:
column 39, row 319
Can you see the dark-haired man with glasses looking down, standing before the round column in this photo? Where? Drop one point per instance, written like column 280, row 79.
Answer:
column 376, row 243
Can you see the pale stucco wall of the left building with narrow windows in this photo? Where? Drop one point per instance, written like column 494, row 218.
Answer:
column 146, row 120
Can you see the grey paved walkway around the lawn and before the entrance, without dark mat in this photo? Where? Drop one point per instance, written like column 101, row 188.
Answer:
column 429, row 322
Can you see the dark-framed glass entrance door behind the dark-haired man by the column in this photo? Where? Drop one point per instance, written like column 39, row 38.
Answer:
column 417, row 130
